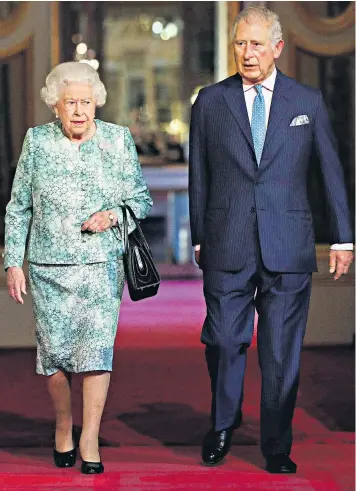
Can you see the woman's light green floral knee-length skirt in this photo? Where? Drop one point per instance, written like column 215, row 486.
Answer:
column 76, row 309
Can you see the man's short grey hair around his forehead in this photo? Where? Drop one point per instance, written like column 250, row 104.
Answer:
column 260, row 13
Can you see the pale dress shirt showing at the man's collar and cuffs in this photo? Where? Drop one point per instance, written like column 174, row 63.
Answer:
column 267, row 90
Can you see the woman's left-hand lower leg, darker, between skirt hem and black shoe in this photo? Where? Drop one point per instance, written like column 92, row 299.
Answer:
column 59, row 387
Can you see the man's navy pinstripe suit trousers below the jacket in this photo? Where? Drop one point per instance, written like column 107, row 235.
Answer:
column 282, row 303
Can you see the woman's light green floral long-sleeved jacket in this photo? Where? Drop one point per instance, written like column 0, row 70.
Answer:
column 59, row 185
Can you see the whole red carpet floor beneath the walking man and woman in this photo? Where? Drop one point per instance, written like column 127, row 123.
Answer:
column 157, row 413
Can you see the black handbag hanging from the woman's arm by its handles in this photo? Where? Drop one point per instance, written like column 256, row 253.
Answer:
column 142, row 276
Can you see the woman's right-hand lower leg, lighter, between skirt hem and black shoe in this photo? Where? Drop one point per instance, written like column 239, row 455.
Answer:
column 95, row 389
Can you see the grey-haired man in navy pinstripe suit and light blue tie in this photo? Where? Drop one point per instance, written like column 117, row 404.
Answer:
column 250, row 145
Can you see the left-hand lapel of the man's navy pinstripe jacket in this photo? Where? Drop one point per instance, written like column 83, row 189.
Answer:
column 235, row 99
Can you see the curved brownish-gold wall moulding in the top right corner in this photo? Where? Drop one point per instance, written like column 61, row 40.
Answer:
column 325, row 25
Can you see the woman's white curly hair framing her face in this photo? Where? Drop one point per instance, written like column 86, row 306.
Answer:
column 72, row 72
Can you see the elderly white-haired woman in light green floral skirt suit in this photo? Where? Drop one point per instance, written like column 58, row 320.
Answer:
column 71, row 178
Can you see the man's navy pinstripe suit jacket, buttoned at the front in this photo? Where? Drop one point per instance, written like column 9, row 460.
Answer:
column 228, row 191
